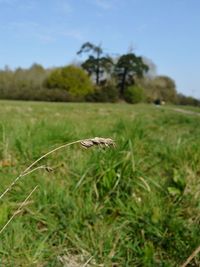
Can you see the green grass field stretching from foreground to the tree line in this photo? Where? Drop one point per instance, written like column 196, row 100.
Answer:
column 134, row 205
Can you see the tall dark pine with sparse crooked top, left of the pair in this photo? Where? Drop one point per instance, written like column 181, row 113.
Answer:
column 97, row 63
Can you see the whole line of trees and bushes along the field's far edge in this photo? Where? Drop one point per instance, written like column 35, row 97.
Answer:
column 98, row 78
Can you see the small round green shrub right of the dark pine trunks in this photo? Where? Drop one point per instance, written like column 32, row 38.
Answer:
column 134, row 94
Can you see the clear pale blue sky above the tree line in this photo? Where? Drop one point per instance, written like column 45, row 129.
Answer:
column 50, row 32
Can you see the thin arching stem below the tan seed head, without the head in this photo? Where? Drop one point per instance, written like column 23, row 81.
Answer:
column 27, row 170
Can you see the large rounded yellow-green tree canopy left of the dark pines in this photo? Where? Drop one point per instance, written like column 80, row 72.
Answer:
column 72, row 79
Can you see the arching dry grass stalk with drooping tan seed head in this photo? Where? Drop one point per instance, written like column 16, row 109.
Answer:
column 86, row 143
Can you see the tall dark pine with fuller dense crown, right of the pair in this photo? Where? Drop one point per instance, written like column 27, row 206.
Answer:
column 128, row 67
